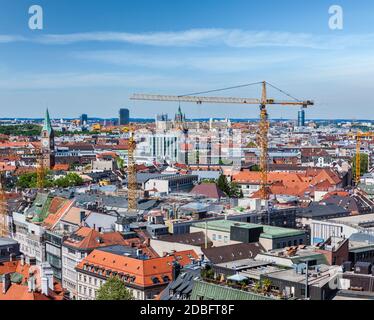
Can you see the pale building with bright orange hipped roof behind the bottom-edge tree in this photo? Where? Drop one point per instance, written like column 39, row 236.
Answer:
column 146, row 278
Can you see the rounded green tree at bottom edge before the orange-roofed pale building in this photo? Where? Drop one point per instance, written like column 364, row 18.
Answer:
column 114, row 289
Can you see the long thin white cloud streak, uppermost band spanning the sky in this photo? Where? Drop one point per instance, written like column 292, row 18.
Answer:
column 236, row 38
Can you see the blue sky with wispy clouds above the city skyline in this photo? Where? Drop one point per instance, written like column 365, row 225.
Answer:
column 92, row 55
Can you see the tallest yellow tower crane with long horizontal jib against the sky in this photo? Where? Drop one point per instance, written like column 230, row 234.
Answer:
column 263, row 131
